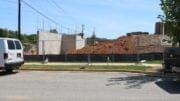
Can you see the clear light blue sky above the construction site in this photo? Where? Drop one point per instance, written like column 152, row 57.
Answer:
column 110, row 18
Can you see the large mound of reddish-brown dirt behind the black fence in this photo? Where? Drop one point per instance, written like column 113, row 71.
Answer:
column 129, row 44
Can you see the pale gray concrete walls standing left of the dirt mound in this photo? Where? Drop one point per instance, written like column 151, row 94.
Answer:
column 53, row 43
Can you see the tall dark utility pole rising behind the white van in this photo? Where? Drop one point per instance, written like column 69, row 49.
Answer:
column 19, row 19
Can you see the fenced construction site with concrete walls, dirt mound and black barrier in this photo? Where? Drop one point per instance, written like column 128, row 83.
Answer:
column 132, row 47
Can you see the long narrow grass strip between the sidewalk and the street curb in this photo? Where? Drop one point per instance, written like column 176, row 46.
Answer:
column 86, row 67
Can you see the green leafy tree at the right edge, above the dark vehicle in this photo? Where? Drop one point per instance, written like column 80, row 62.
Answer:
column 171, row 19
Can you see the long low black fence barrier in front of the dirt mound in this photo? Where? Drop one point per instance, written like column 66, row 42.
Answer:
column 94, row 57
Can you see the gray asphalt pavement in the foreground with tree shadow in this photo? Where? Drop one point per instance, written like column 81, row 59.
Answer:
column 86, row 86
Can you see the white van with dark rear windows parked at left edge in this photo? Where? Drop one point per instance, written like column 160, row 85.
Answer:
column 11, row 54
